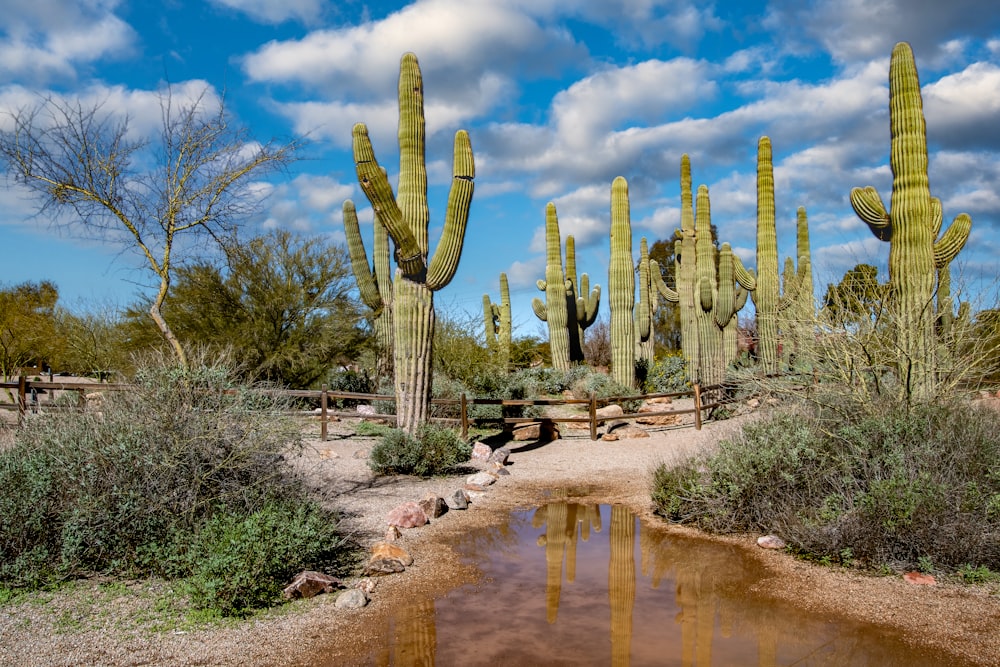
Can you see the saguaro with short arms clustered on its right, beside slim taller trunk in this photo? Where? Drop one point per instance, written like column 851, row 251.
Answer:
column 720, row 291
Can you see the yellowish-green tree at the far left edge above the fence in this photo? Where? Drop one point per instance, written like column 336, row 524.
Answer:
column 27, row 325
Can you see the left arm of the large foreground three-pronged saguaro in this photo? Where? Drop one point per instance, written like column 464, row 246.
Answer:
column 376, row 187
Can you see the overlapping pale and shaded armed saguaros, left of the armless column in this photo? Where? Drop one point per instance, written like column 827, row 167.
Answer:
column 566, row 314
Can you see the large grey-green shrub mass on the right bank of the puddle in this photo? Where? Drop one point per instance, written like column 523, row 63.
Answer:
column 889, row 486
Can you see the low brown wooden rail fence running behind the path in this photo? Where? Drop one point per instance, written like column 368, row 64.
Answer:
column 32, row 395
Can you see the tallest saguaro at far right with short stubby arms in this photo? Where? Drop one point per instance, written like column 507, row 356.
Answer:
column 910, row 227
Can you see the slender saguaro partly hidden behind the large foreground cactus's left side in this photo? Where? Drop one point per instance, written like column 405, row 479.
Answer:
column 374, row 282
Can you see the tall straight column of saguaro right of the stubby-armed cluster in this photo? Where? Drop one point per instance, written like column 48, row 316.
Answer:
column 767, row 296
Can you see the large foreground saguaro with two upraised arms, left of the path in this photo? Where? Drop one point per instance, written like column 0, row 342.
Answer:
column 406, row 217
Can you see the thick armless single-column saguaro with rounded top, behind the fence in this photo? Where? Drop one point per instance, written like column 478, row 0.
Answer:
column 621, row 287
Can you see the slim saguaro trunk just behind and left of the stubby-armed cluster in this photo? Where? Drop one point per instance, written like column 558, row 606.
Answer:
column 685, row 254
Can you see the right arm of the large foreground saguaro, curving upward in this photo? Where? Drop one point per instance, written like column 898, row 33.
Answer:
column 445, row 262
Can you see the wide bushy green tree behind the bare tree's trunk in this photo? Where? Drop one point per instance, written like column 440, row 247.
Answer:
column 282, row 305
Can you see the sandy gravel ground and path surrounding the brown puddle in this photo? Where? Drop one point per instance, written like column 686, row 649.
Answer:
column 72, row 629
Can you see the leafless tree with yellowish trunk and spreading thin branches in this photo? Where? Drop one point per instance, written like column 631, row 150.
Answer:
column 191, row 183
